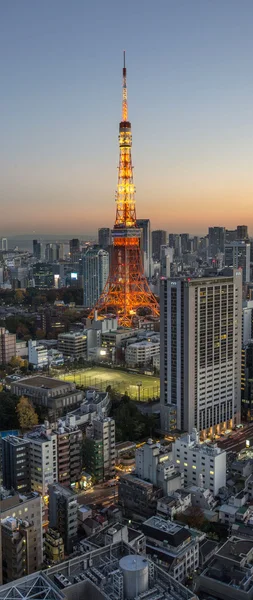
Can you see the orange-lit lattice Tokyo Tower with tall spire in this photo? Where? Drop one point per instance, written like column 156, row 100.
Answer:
column 127, row 290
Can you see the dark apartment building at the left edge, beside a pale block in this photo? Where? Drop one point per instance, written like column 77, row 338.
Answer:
column 16, row 464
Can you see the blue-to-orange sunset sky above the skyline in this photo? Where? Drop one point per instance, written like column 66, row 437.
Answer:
column 190, row 89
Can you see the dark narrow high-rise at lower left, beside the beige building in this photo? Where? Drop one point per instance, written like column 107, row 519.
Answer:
column 63, row 514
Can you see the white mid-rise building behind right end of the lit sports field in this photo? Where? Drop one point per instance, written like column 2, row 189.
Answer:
column 142, row 353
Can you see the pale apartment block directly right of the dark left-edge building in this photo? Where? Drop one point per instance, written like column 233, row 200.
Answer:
column 43, row 459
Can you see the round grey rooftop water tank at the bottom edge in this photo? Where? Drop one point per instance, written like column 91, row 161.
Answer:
column 135, row 574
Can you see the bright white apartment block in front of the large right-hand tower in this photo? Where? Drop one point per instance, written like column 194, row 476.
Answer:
column 203, row 465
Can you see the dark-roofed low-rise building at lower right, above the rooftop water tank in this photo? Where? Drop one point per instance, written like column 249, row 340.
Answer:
column 175, row 547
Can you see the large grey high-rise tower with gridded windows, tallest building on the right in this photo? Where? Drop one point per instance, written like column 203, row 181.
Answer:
column 201, row 324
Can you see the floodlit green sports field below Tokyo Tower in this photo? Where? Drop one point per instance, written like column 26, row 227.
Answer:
column 138, row 387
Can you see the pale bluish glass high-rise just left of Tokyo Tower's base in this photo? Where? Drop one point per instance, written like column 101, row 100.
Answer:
column 95, row 274
